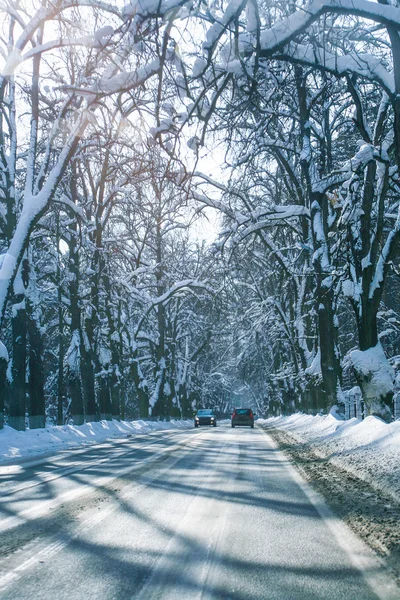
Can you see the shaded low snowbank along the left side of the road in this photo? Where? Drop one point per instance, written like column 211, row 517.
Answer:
column 15, row 445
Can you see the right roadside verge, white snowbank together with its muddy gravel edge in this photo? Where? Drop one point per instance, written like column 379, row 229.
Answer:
column 355, row 465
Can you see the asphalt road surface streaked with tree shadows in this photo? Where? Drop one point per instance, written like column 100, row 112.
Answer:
column 210, row 513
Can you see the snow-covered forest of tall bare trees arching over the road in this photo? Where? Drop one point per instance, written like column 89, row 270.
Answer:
column 125, row 130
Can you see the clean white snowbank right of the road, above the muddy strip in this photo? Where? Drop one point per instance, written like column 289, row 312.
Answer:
column 369, row 449
